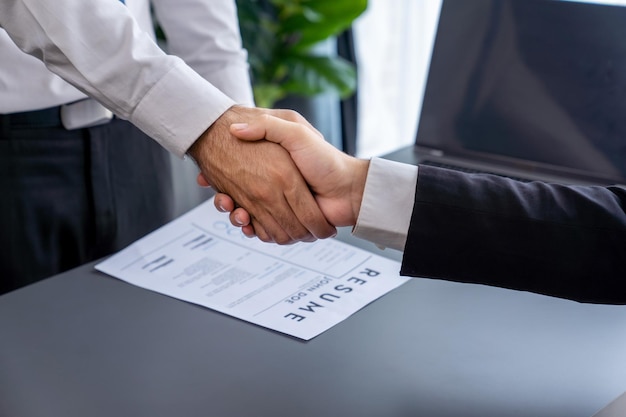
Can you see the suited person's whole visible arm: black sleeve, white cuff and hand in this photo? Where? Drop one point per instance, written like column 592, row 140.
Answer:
column 564, row 241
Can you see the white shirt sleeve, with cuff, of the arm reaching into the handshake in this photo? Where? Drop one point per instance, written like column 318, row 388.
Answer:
column 98, row 47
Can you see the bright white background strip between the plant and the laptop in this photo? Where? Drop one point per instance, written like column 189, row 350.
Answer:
column 393, row 41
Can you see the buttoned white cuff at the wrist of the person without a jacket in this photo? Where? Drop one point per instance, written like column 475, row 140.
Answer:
column 193, row 104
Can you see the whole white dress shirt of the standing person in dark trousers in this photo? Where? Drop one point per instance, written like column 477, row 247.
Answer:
column 107, row 50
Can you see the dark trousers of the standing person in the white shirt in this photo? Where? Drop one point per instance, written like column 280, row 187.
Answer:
column 69, row 197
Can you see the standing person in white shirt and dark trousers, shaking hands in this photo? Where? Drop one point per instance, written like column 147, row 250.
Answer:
column 78, row 183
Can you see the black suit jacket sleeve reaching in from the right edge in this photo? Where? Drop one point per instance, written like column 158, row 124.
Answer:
column 564, row 241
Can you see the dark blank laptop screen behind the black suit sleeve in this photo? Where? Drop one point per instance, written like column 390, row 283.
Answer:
column 539, row 84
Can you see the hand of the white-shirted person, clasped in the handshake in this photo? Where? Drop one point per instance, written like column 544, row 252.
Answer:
column 261, row 178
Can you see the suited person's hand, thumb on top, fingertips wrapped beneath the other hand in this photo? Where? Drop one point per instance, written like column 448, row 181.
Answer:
column 336, row 179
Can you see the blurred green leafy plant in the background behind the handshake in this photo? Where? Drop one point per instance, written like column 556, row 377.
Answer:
column 281, row 35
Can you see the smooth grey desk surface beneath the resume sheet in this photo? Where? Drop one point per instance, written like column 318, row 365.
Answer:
column 84, row 344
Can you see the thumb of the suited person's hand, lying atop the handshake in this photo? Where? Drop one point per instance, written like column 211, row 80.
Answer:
column 288, row 134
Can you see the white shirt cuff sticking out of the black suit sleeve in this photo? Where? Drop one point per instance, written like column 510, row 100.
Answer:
column 387, row 203
